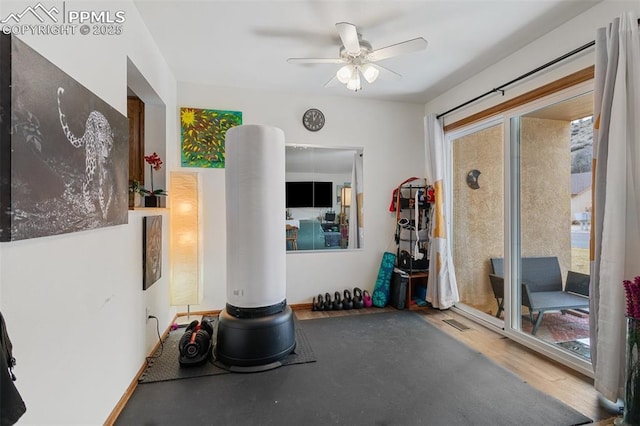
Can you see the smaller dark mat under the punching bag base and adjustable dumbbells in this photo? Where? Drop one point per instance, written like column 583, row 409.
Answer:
column 167, row 367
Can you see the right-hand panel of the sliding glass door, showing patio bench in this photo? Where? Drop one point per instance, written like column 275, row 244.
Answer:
column 550, row 209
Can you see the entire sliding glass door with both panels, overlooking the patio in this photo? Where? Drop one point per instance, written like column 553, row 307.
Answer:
column 521, row 197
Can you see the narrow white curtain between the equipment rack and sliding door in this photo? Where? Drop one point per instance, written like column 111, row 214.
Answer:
column 442, row 289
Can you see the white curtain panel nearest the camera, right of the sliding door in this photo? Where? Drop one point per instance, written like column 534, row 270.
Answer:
column 616, row 187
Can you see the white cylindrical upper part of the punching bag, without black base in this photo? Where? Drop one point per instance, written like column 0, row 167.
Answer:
column 255, row 195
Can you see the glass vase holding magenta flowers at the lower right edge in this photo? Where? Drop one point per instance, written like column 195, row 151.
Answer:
column 631, row 415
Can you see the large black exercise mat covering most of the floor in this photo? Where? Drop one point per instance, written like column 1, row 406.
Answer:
column 388, row 368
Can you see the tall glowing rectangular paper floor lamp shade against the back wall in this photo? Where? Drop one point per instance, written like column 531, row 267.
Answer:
column 186, row 275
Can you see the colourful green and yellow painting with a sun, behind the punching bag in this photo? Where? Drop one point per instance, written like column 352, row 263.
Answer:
column 202, row 133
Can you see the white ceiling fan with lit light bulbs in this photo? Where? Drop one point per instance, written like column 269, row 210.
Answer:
column 358, row 57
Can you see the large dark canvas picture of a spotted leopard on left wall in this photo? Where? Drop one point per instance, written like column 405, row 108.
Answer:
column 63, row 150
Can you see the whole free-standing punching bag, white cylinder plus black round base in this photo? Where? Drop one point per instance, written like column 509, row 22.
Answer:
column 256, row 329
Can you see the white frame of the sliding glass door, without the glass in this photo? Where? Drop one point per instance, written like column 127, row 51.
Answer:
column 510, row 327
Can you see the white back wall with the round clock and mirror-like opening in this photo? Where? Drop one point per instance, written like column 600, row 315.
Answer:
column 391, row 135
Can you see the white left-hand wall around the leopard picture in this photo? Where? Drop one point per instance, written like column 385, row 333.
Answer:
column 74, row 304
